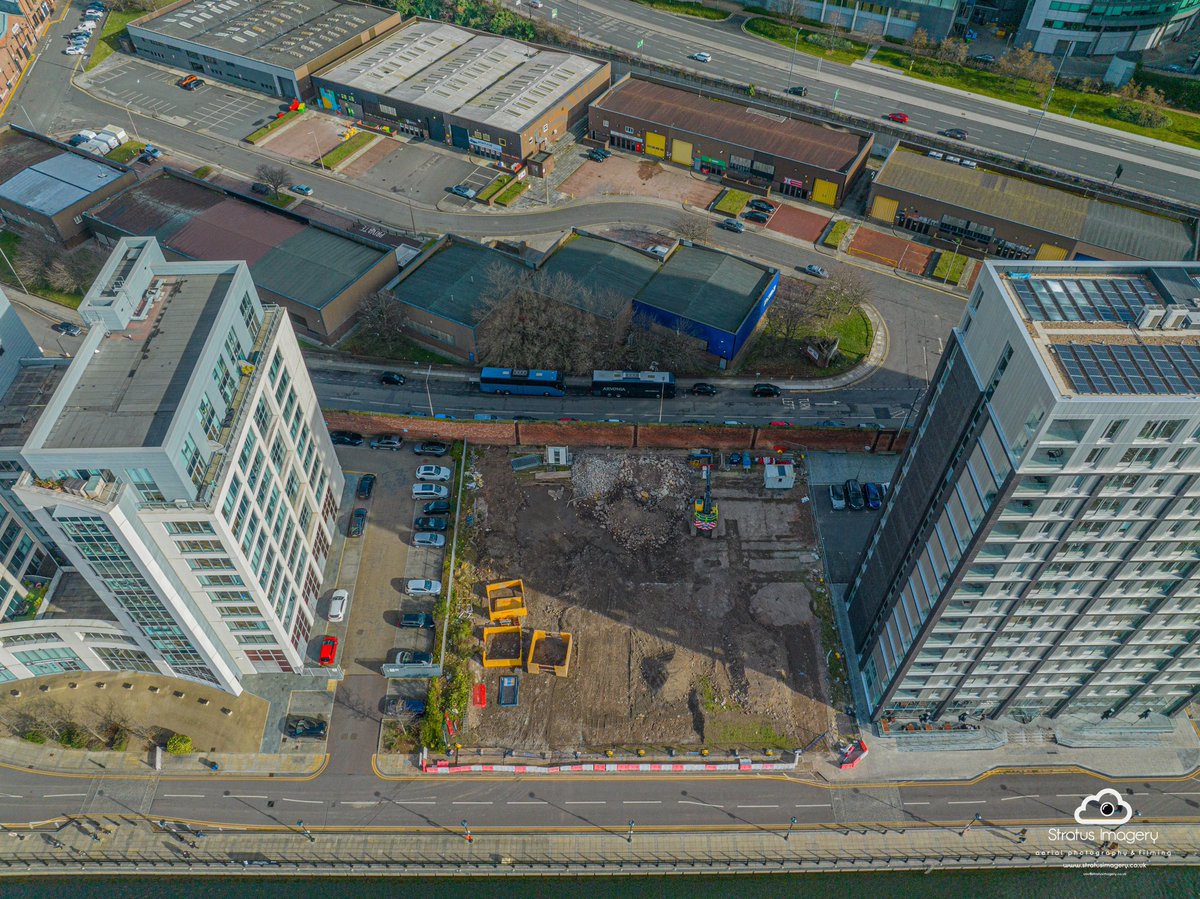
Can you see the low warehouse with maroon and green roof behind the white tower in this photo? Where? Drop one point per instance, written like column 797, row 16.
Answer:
column 319, row 273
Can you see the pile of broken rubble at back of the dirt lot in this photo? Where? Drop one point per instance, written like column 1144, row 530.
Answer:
column 639, row 500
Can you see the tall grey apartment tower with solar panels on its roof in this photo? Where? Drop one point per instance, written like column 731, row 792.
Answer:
column 1039, row 552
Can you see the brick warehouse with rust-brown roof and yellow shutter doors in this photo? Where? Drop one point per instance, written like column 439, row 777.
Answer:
column 763, row 148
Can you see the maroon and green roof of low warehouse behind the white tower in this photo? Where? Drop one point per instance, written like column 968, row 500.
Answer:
column 289, row 259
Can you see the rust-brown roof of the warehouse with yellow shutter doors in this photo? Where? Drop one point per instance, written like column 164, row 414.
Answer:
column 823, row 146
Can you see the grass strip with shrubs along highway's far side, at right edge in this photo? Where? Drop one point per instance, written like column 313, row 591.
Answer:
column 1183, row 129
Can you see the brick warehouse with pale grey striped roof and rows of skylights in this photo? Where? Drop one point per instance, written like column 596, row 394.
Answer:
column 495, row 97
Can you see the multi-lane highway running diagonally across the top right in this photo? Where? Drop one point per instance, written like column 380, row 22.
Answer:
column 1090, row 151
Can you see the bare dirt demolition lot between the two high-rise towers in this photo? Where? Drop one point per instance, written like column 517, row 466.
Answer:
column 679, row 640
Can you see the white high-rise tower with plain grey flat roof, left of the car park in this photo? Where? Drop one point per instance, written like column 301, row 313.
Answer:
column 183, row 466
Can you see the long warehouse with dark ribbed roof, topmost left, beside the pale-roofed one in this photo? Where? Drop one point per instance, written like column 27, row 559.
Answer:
column 273, row 46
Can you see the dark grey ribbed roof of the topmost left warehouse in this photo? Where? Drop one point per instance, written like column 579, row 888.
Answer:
column 284, row 33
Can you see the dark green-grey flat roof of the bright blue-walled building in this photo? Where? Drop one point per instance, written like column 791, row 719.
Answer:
column 706, row 286
